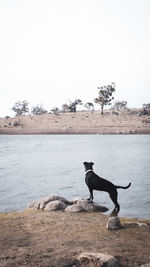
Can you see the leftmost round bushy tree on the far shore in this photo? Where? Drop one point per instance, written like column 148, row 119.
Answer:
column 21, row 108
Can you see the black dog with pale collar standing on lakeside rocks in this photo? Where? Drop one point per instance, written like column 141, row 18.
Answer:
column 94, row 182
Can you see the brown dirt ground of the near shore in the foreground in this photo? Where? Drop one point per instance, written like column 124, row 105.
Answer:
column 46, row 239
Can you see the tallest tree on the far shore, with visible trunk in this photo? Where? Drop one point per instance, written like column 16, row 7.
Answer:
column 105, row 96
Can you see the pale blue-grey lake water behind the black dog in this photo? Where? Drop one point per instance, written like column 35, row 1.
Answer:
column 35, row 166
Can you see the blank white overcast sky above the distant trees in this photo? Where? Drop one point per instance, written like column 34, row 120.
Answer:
column 55, row 50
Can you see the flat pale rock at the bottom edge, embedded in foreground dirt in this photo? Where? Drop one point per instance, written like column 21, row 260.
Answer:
column 97, row 259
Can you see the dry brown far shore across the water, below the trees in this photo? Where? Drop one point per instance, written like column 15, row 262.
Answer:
column 81, row 122
